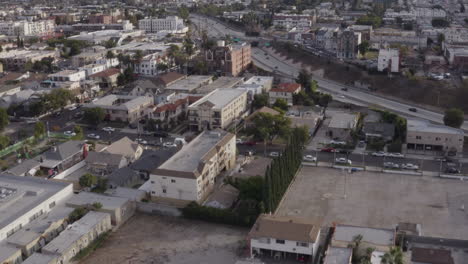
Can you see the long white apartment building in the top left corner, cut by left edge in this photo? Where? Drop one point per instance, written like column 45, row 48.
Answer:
column 26, row 28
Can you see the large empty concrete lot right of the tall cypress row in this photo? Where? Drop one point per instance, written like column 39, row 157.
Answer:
column 379, row 200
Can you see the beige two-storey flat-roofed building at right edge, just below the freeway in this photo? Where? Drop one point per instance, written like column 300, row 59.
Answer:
column 425, row 137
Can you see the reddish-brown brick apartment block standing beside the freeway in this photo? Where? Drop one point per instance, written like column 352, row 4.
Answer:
column 229, row 60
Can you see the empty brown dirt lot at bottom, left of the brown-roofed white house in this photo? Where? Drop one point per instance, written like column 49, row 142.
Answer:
column 157, row 239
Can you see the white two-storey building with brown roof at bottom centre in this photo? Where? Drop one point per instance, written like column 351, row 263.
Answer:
column 291, row 237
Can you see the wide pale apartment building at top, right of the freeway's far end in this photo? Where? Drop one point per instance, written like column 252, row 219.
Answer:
column 290, row 21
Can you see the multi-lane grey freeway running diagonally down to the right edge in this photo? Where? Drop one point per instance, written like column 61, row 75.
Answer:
column 269, row 61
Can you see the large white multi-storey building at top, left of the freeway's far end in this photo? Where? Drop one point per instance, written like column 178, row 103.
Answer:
column 172, row 24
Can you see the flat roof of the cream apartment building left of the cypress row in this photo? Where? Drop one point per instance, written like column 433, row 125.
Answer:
column 190, row 156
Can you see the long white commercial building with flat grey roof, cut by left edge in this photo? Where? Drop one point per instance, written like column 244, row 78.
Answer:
column 24, row 199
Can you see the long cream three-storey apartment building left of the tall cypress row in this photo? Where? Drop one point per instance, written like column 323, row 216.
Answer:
column 191, row 173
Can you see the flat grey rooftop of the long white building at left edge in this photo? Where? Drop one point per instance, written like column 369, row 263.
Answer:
column 19, row 195
